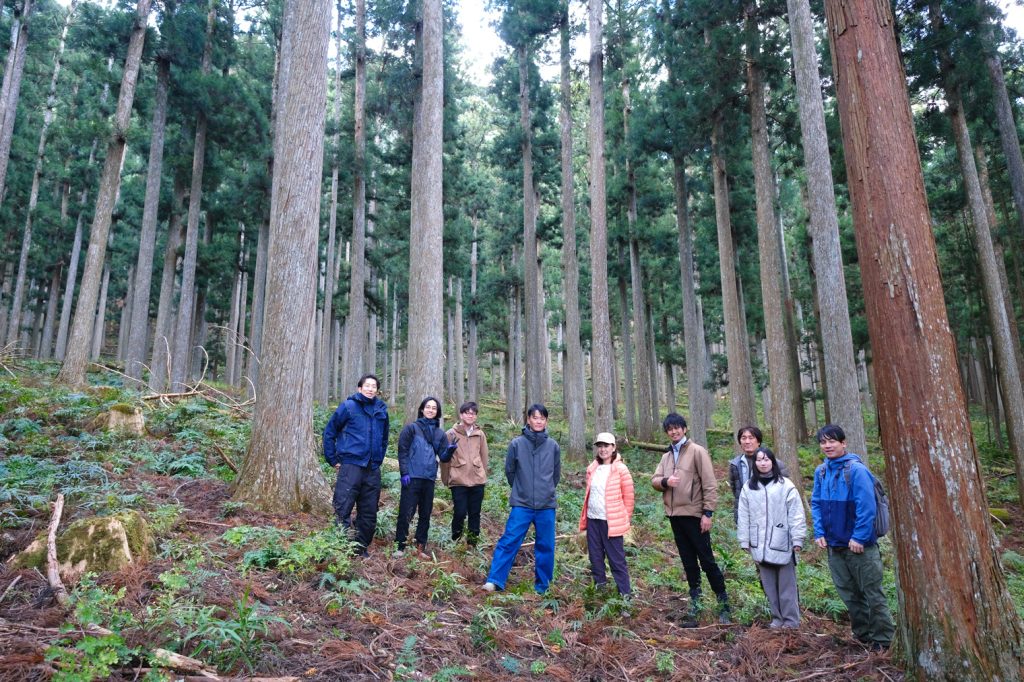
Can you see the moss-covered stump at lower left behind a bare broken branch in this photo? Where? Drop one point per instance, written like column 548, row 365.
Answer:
column 98, row 544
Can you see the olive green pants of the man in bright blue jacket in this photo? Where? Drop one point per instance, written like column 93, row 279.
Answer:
column 859, row 581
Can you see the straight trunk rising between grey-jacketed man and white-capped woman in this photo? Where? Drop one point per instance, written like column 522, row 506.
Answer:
column 574, row 381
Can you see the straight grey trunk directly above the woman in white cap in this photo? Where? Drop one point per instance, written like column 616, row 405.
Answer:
column 604, row 359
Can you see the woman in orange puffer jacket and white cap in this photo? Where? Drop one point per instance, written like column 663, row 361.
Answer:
column 608, row 508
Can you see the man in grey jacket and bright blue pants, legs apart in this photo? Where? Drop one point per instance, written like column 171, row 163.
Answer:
column 533, row 468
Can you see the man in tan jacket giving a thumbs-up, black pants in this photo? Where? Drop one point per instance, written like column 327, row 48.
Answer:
column 690, row 490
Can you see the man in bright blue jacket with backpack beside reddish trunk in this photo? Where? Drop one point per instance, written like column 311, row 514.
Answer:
column 843, row 508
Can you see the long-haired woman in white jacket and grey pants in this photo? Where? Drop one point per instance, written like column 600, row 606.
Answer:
column 773, row 529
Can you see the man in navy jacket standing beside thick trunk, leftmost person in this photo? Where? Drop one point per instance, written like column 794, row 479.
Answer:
column 355, row 443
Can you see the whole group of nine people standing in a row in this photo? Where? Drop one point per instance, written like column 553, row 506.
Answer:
column 769, row 514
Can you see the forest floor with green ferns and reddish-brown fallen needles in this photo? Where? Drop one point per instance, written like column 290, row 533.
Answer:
column 257, row 595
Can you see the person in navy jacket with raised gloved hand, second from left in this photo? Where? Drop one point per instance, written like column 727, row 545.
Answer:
column 421, row 445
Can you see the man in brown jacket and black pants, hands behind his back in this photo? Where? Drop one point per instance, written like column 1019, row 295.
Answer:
column 466, row 475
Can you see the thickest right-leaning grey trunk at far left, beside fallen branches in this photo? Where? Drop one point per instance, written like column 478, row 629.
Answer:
column 73, row 370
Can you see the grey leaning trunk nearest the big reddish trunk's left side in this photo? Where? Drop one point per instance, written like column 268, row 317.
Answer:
column 837, row 338
